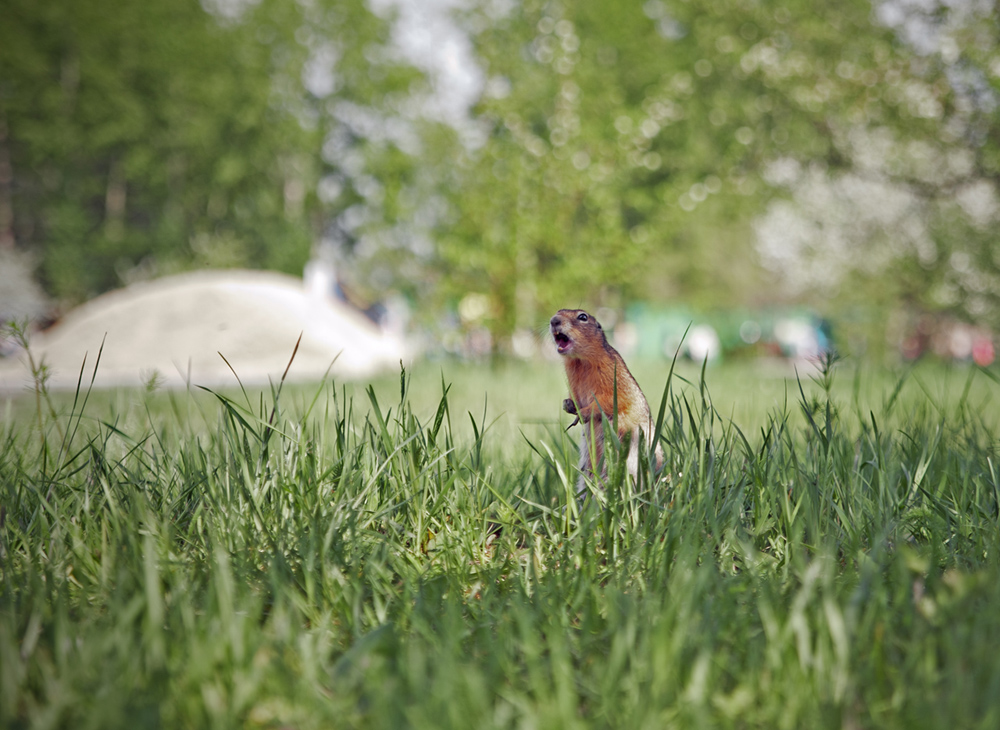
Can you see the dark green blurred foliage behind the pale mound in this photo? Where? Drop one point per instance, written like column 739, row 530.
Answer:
column 145, row 134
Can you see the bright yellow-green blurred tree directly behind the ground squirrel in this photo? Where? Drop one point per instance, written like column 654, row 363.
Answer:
column 626, row 145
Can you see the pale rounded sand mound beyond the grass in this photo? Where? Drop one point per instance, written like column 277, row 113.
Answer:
column 177, row 326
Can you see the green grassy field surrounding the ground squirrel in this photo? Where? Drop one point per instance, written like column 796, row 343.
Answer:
column 815, row 554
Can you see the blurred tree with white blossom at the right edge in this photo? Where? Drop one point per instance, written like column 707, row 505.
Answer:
column 905, row 221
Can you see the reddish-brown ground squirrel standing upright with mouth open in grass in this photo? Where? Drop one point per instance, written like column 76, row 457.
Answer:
column 592, row 367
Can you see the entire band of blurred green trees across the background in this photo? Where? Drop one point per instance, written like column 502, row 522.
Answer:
column 724, row 153
